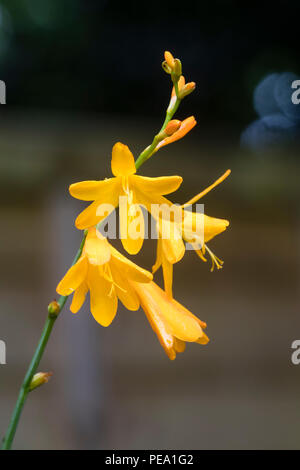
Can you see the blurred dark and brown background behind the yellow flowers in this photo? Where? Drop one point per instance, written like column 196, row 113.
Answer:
column 80, row 76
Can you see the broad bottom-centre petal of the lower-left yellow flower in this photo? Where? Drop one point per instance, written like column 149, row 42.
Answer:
column 103, row 298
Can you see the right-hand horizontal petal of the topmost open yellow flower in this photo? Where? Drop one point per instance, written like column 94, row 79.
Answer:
column 161, row 185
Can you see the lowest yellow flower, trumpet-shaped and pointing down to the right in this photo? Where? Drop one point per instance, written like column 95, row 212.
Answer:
column 173, row 323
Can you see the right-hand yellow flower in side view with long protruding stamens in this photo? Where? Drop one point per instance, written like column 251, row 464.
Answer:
column 172, row 234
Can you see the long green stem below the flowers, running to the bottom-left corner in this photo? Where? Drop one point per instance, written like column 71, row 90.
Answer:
column 25, row 387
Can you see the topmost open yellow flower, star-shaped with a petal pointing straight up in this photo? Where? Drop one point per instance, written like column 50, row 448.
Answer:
column 136, row 190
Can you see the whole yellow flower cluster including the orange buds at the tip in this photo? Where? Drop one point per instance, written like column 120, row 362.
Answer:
column 109, row 276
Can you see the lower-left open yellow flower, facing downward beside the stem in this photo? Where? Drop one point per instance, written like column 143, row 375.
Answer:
column 106, row 273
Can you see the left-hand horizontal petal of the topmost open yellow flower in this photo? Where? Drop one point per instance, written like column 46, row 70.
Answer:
column 92, row 190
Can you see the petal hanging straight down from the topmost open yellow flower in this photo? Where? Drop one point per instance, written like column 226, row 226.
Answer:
column 132, row 228
